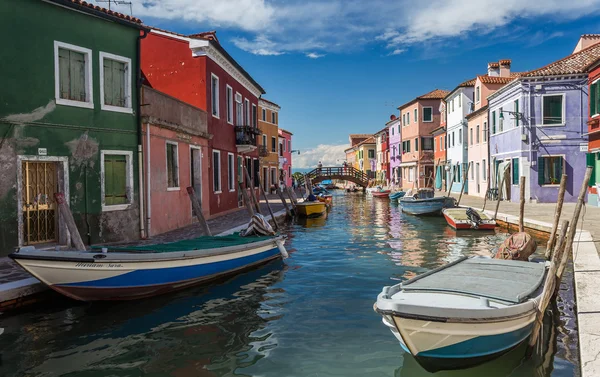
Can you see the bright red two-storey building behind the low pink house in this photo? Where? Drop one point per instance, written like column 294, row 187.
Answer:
column 197, row 70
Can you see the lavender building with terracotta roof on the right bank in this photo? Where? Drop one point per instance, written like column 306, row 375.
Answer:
column 538, row 129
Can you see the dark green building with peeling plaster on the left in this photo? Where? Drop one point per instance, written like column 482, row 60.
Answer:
column 68, row 122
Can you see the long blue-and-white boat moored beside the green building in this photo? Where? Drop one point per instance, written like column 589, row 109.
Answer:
column 127, row 273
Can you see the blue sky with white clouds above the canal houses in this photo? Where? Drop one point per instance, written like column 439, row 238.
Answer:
column 342, row 66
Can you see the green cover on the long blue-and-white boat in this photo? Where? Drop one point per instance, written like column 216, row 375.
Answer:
column 199, row 243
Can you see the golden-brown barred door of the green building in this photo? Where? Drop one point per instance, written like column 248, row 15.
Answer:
column 39, row 183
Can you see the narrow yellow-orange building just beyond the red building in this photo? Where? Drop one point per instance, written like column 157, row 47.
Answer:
column 268, row 143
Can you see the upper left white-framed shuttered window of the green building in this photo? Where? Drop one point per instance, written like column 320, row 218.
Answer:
column 73, row 75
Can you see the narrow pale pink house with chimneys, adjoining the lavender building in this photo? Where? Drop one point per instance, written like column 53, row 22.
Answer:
column 499, row 74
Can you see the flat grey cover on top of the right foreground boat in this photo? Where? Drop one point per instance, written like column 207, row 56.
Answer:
column 510, row 281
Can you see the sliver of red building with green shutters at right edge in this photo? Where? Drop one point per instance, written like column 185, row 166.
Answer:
column 593, row 157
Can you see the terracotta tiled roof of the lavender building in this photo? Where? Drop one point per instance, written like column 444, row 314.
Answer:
column 576, row 63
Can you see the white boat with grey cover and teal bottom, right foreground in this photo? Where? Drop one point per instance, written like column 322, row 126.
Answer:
column 464, row 313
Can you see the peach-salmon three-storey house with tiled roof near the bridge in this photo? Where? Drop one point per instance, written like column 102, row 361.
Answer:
column 419, row 117
